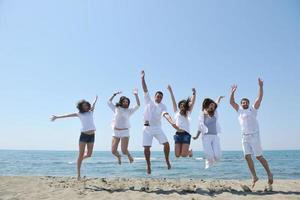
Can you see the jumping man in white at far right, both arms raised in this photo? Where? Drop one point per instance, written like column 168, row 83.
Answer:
column 250, row 132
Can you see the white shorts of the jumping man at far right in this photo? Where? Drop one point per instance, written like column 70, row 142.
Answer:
column 251, row 144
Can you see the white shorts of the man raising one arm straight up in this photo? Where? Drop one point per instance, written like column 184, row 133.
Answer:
column 150, row 132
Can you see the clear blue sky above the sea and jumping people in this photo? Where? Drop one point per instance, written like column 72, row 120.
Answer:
column 53, row 53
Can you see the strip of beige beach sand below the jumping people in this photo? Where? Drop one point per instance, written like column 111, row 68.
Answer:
column 49, row 187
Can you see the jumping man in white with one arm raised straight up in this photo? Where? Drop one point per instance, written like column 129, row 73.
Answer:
column 154, row 111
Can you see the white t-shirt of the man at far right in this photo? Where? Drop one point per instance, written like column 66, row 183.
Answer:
column 248, row 121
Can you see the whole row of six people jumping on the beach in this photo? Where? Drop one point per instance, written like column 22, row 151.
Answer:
column 208, row 127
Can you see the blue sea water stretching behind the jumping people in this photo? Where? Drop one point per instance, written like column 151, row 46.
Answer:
column 284, row 165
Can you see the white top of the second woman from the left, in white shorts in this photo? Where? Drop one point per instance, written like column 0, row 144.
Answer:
column 121, row 116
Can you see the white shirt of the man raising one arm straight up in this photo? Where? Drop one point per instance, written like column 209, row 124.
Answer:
column 153, row 111
